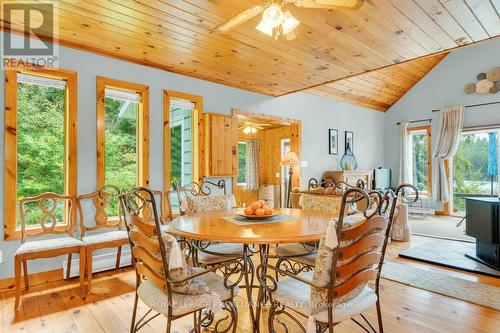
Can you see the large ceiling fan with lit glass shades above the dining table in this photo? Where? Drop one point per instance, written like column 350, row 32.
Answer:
column 279, row 21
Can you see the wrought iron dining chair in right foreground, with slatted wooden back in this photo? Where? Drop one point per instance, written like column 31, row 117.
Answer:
column 348, row 258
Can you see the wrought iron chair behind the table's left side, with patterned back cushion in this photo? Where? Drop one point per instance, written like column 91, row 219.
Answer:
column 196, row 198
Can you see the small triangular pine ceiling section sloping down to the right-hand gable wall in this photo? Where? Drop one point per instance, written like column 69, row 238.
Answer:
column 381, row 88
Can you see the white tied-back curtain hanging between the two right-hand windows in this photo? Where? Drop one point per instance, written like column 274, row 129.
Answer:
column 451, row 122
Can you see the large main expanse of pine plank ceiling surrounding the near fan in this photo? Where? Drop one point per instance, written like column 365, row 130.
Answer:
column 178, row 36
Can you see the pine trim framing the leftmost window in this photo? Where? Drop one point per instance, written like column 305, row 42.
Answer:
column 10, row 152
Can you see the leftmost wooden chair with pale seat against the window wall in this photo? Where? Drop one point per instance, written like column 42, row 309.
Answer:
column 47, row 215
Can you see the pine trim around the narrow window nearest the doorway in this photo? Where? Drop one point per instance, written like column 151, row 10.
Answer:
column 197, row 128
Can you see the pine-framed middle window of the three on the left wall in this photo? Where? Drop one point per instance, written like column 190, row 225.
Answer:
column 122, row 134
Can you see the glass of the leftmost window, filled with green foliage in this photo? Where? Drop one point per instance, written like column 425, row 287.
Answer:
column 40, row 143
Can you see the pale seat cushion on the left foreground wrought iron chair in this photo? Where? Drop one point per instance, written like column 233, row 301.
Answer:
column 157, row 299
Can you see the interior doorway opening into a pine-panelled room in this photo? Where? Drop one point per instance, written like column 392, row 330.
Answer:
column 262, row 142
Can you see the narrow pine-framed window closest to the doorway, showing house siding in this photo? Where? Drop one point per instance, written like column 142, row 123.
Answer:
column 181, row 149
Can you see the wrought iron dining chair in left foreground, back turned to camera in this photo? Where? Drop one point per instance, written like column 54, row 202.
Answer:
column 164, row 282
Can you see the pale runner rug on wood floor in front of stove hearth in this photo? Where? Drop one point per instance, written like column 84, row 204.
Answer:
column 468, row 291
